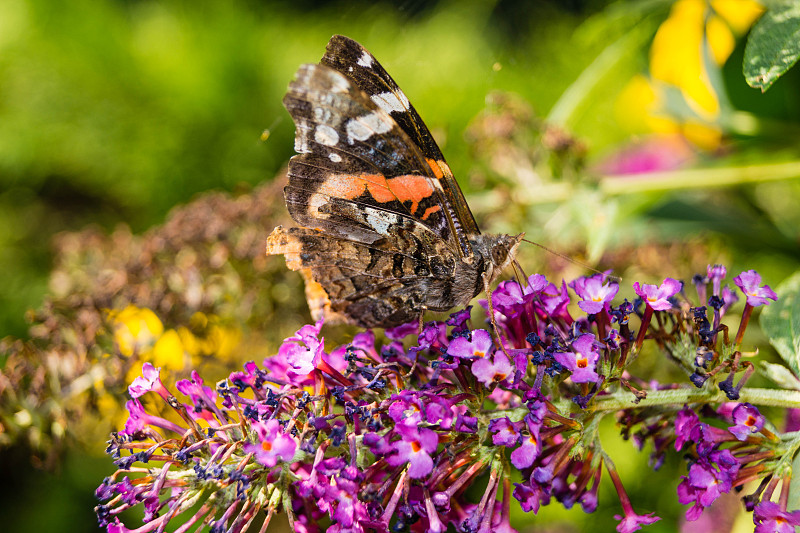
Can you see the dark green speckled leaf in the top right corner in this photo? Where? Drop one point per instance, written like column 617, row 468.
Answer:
column 773, row 45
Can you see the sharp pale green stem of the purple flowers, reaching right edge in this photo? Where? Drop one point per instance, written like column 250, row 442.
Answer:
column 768, row 397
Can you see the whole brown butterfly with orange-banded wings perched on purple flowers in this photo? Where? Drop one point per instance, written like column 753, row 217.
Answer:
column 386, row 232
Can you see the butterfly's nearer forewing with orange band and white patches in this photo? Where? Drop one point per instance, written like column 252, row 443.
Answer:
column 358, row 174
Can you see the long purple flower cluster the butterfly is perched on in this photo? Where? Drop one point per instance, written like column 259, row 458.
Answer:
column 389, row 435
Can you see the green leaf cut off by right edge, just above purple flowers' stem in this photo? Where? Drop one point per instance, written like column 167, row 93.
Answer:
column 781, row 322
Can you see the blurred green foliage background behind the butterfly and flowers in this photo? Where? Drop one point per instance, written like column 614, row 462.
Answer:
column 116, row 111
